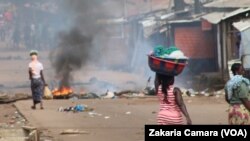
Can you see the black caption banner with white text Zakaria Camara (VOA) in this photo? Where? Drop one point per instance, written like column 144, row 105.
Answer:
column 197, row 132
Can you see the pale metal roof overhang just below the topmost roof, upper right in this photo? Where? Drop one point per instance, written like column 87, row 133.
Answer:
column 217, row 17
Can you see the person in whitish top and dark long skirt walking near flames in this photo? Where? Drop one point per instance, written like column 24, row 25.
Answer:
column 37, row 79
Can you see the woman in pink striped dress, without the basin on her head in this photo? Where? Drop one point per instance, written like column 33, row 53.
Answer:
column 172, row 105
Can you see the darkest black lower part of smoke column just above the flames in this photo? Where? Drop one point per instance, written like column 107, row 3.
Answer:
column 71, row 54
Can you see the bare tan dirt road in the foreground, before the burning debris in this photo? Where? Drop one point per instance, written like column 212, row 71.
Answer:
column 119, row 119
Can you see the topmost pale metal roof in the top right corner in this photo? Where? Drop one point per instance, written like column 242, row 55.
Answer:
column 228, row 4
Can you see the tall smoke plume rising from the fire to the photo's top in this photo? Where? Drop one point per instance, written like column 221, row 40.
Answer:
column 75, row 45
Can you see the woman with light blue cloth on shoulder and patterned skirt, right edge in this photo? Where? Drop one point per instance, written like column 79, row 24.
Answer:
column 238, row 97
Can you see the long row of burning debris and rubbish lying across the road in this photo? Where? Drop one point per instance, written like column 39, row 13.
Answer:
column 66, row 92
